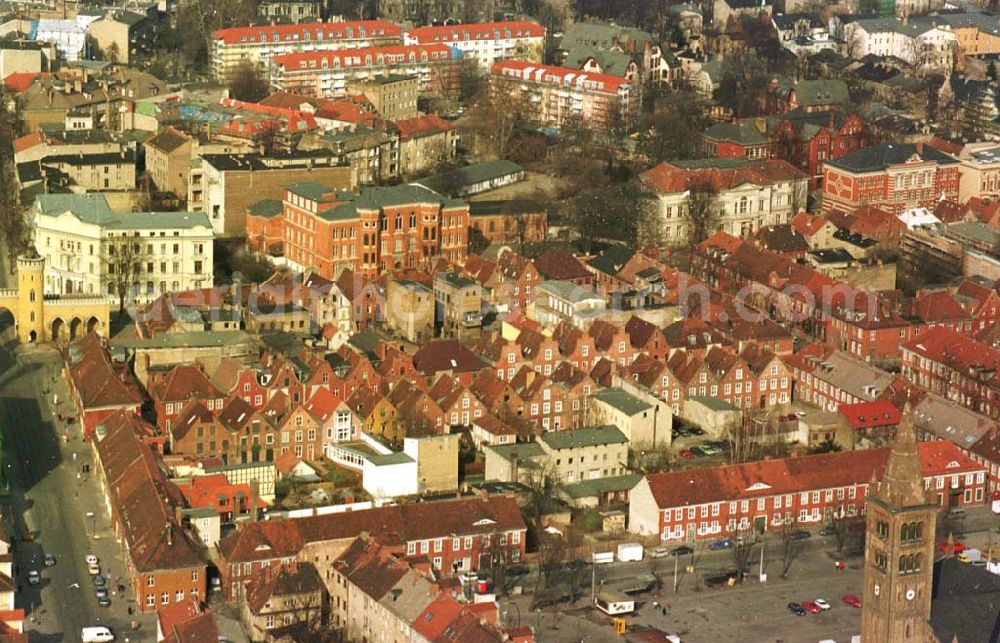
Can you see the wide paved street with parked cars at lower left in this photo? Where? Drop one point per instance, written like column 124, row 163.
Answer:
column 49, row 500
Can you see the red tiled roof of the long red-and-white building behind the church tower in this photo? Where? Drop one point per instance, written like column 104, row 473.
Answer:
column 793, row 475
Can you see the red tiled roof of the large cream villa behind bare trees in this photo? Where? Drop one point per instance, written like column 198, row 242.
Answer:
column 671, row 179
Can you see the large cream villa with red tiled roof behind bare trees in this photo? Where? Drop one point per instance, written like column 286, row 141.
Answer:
column 749, row 194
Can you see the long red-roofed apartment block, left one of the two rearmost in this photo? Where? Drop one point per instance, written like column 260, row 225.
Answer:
column 258, row 44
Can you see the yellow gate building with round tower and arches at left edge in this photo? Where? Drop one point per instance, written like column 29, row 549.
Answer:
column 55, row 318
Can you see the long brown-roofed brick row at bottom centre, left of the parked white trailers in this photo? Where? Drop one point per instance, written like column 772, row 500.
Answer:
column 454, row 535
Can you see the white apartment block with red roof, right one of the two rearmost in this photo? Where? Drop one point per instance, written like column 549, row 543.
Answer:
column 485, row 43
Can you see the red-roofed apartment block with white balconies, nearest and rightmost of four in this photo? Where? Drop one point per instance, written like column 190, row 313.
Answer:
column 560, row 93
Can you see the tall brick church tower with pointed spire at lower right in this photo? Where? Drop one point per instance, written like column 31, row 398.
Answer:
column 899, row 546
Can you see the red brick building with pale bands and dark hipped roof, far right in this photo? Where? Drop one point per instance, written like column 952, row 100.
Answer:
column 893, row 177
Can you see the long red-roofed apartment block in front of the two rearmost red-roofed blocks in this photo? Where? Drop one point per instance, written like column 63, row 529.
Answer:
column 325, row 74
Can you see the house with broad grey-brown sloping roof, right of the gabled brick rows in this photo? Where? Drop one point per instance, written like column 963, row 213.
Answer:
column 827, row 378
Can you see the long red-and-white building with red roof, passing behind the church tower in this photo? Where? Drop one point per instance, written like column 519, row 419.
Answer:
column 712, row 502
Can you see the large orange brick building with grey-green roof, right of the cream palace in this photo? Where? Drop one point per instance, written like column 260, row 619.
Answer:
column 380, row 229
